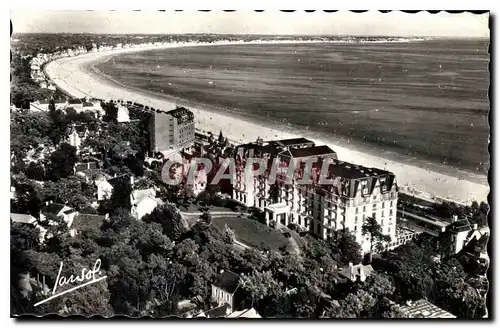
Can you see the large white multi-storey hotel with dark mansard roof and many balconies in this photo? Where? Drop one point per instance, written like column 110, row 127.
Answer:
column 353, row 193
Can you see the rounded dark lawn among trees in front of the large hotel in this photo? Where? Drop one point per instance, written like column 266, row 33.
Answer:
column 253, row 233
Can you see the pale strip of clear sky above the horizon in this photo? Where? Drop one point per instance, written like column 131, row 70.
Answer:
column 250, row 22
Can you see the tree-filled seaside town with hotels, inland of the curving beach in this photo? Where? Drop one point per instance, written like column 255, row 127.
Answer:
column 87, row 183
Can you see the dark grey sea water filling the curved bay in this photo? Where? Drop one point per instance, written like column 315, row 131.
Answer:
column 423, row 99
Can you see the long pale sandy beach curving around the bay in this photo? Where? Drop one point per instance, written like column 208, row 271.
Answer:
column 75, row 77
